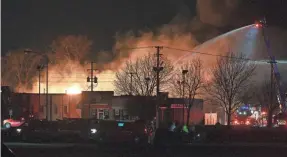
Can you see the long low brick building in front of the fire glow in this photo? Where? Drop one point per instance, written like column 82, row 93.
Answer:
column 104, row 105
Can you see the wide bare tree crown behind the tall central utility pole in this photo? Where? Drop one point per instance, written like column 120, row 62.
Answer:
column 139, row 78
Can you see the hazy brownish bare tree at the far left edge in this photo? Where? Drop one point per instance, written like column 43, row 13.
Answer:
column 19, row 69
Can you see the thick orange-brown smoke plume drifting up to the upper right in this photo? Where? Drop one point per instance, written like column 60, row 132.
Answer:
column 184, row 31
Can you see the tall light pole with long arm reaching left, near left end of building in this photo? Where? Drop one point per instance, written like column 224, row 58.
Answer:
column 47, row 81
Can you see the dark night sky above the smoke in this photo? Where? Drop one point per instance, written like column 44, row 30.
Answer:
column 35, row 23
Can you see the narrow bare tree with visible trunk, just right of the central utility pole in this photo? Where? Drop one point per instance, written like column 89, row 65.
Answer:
column 191, row 81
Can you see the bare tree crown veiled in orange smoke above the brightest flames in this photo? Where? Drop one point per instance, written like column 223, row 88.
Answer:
column 70, row 53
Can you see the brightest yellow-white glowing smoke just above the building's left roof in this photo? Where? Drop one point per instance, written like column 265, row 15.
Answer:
column 71, row 78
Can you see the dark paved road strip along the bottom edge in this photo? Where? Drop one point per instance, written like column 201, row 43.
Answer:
column 196, row 150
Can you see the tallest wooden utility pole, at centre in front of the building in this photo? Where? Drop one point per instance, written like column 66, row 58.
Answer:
column 157, row 69
